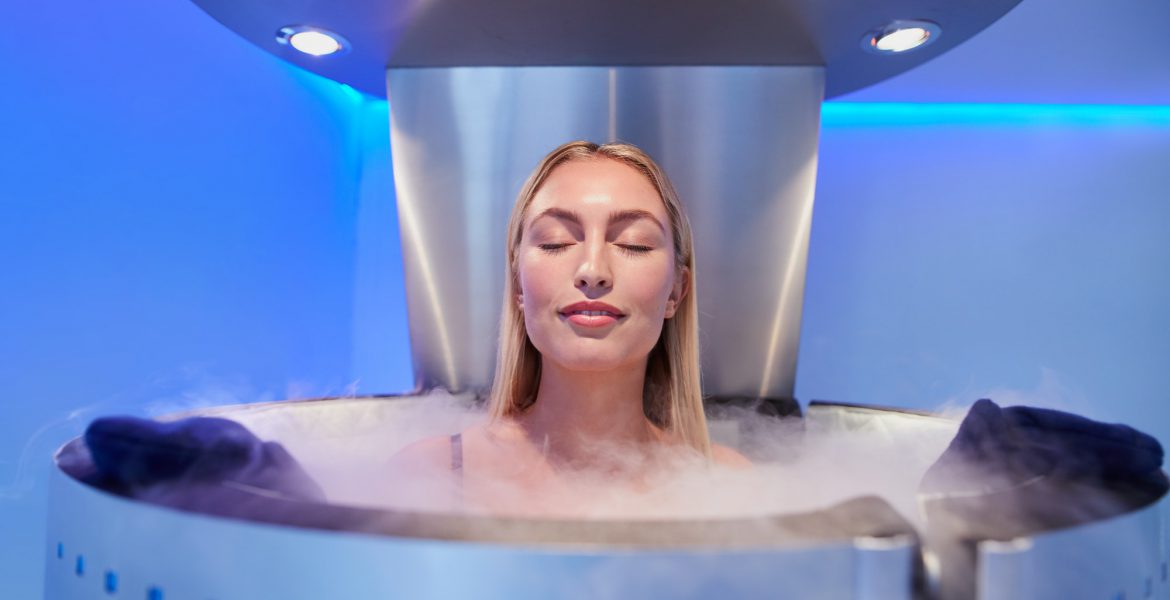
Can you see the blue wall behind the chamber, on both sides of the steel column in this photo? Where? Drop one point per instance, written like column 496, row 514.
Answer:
column 182, row 217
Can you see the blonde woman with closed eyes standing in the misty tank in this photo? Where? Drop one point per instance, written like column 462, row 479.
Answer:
column 597, row 383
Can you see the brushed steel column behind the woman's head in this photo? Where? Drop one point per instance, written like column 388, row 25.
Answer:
column 739, row 143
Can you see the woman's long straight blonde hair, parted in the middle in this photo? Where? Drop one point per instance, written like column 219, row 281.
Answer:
column 672, row 397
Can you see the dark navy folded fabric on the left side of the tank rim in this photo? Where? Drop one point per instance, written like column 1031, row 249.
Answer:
column 132, row 456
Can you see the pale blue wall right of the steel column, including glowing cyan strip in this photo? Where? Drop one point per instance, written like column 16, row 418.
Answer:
column 1018, row 253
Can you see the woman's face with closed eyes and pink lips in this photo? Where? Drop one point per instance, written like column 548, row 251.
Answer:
column 597, row 232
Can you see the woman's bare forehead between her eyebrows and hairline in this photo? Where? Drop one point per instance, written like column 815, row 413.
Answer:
column 595, row 188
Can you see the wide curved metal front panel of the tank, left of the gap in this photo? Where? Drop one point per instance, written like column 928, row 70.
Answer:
column 191, row 556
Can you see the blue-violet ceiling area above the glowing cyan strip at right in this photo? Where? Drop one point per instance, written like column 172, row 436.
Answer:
column 1059, row 52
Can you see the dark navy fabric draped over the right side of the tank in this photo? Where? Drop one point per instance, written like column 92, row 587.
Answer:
column 1020, row 471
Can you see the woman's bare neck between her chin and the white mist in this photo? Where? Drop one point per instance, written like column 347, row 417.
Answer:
column 575, row 412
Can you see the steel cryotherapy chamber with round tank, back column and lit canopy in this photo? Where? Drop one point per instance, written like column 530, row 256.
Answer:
column 727, row 99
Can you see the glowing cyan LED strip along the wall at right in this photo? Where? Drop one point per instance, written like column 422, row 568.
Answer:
column 887, row 114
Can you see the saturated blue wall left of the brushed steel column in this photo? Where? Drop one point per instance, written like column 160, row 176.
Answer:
column 177, row 227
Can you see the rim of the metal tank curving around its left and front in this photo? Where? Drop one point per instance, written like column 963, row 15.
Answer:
column 756, row 532
